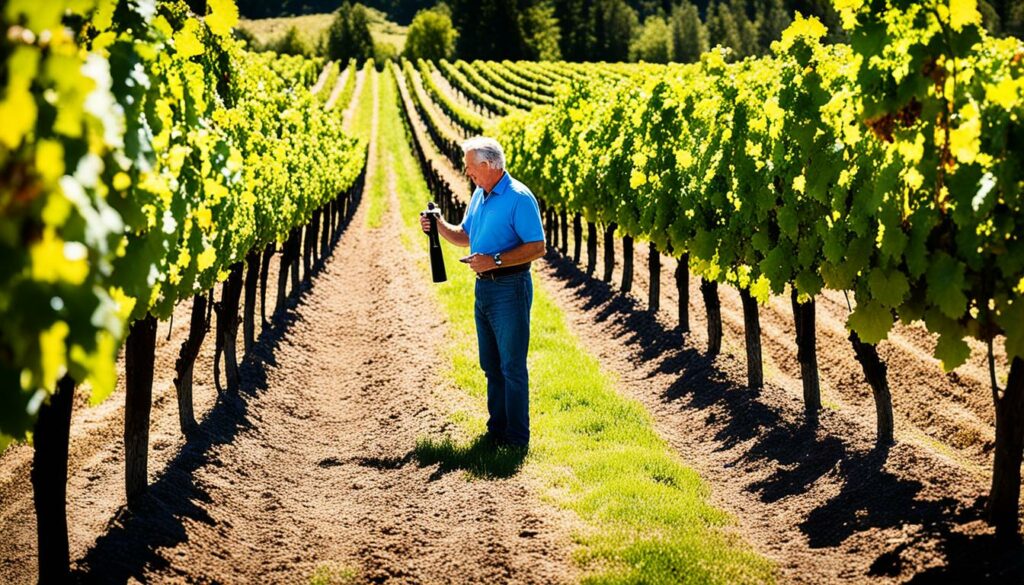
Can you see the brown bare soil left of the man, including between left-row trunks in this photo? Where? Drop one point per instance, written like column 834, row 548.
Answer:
column 312, row 469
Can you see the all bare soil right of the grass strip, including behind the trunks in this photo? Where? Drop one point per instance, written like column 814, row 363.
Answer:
column 824, row 502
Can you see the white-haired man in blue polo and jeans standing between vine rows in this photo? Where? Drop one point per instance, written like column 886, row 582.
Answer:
column 502, row 228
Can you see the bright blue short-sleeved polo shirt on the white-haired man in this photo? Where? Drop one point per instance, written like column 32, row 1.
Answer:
column 502, row 220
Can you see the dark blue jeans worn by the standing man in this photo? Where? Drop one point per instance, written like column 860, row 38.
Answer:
column 503, row 335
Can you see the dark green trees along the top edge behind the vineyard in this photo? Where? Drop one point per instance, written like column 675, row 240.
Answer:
column 654, row 31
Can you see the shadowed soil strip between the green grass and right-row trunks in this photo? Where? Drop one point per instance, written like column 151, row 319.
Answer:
column 824, row 504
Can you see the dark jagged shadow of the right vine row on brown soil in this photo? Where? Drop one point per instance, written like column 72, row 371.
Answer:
column 770, row 431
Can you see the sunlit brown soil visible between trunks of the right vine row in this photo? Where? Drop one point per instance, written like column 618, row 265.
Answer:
column 953, row 413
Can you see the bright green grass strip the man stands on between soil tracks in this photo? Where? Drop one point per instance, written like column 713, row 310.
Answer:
column 647, row 516
